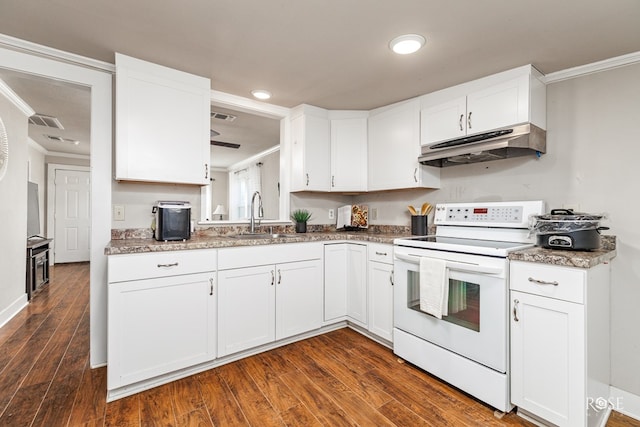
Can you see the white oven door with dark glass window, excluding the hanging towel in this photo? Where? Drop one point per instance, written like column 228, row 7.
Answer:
column 476, row 324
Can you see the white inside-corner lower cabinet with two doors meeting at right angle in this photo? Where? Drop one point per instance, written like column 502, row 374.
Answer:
column 345, row 286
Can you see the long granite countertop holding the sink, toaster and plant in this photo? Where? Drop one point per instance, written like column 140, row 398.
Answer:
column 148, row 244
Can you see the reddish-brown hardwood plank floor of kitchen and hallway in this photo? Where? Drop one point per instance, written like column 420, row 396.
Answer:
column 340, row 378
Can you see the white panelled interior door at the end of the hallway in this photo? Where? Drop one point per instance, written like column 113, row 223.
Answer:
column 72, row 215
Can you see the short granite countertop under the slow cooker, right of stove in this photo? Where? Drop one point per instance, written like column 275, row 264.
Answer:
column 581, row 259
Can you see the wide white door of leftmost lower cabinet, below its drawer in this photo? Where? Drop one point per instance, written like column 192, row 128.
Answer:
column 160, row 325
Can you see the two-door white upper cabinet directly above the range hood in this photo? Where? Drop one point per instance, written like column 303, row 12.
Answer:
column 505, row 99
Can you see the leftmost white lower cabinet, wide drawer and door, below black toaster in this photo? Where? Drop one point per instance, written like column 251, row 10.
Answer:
column 162, row 324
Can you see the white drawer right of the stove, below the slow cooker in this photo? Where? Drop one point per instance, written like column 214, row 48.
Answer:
column 561, row 283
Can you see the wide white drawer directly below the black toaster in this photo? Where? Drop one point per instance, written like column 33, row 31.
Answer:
column 160, row 264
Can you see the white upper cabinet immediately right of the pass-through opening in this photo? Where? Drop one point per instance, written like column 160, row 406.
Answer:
column 310, row 149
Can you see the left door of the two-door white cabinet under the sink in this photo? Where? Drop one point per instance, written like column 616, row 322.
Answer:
column 246, row 307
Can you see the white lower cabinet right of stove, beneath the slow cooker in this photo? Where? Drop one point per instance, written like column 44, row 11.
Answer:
column 560, row 342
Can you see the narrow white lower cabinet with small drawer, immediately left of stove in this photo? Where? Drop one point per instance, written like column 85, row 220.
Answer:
column 380, row 290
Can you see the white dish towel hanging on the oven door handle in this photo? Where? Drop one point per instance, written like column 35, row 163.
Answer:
column 434, row 286
